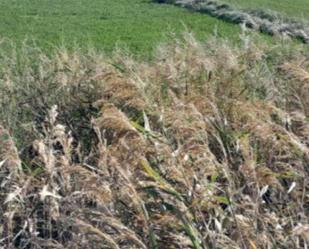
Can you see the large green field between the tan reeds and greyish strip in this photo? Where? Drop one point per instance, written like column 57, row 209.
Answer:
column 137, row 24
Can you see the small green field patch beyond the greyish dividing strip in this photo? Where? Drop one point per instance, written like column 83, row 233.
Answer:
column 294, row 8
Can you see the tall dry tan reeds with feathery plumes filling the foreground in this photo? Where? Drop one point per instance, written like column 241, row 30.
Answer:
column 206, row 146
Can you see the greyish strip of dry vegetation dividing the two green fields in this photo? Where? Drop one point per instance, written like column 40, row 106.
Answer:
column 270, row 23
